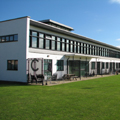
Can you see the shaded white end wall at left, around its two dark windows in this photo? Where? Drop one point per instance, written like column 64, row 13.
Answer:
column 14, row 50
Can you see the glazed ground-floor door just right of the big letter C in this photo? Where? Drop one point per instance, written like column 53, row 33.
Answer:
column 48, row 67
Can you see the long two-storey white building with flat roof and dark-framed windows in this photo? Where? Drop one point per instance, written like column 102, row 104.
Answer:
column 48, row 47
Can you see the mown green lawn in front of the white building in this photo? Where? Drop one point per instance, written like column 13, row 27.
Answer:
column 97, row 99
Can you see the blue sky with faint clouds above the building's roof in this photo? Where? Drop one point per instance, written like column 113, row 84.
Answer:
column 96, row 19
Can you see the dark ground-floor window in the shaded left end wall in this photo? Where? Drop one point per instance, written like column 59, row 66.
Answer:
column 12, row 65
